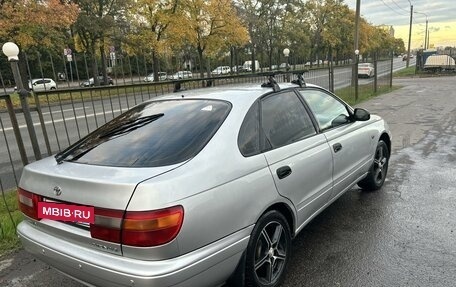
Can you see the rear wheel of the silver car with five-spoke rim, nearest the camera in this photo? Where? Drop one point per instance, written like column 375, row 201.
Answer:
column 268, row 252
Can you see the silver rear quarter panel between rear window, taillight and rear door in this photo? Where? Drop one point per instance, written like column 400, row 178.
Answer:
column 221, row 191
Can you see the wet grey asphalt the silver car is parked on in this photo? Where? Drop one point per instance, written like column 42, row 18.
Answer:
column 401, row 235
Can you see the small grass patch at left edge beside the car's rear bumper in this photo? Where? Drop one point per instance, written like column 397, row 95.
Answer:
column 9, row 209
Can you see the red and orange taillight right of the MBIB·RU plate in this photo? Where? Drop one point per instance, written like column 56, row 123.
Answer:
column 138, row 228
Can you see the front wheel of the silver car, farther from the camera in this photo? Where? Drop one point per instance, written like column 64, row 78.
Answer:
column 377, row 173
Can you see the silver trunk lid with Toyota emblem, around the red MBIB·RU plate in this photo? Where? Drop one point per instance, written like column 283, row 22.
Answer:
column 102, row 187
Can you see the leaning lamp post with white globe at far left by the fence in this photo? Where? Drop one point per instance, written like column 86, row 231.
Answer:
column 11, row 50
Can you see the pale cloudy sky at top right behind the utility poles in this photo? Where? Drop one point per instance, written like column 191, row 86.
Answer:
column 441, row 15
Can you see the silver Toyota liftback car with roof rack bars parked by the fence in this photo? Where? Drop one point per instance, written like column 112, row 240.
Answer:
column 200, row 187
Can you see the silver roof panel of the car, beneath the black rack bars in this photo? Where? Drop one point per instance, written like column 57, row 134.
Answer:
column 236, row 94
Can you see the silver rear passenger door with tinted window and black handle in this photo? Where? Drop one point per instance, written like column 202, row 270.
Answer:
column 299, row 159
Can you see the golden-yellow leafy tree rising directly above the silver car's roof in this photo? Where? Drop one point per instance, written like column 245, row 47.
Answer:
column 212, row 26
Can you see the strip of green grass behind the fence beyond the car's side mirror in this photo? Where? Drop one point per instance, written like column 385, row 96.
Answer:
column 365, row 92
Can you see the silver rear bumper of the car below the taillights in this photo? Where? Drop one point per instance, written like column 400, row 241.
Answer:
column 207, row 266
